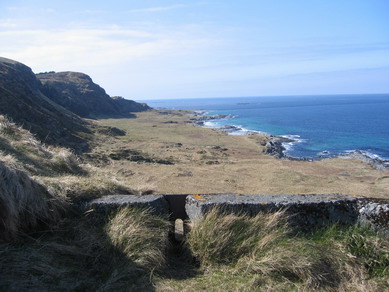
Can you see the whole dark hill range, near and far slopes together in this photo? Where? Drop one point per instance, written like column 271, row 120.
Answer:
column 52, row 105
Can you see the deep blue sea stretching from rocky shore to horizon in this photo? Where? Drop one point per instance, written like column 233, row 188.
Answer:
column 322, row 125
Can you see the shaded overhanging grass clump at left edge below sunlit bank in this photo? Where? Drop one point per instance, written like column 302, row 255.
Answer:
column 24, row 202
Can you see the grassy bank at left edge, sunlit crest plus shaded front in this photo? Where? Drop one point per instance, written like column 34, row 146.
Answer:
column 37, row 181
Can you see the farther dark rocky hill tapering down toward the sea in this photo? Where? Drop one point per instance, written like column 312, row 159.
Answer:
column 79, row 94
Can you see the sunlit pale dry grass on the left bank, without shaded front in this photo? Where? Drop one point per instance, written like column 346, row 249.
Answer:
column 58, row 169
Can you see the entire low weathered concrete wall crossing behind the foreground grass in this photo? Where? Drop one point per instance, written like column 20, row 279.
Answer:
column 307, row 211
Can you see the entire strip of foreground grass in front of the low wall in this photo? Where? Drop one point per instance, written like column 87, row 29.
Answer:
column 129, row 251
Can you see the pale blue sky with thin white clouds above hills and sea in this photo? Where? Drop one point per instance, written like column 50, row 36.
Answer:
column 188, row 49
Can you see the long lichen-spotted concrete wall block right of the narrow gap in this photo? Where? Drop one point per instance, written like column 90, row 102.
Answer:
column 308, row 211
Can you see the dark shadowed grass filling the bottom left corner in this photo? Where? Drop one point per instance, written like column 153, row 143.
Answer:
column 74, row 255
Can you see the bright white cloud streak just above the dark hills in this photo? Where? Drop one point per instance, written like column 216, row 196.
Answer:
column 83, row 49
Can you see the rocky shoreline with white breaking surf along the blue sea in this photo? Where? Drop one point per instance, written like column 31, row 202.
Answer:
column 278, row 145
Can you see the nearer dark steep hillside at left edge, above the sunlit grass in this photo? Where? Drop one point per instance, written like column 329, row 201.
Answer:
column 22, row 100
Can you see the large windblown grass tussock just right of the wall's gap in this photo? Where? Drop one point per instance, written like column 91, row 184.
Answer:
column 222, row 238
